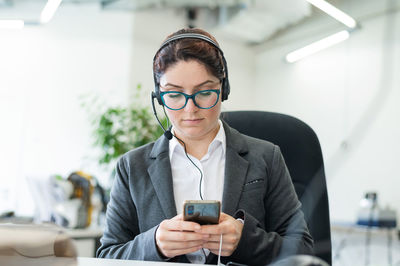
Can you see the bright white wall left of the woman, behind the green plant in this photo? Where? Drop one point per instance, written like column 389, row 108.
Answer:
column 45, row 70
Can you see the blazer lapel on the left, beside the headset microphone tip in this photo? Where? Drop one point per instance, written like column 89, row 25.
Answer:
column 161, row 176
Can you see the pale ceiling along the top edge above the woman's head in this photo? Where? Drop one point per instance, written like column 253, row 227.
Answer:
column 252, row 21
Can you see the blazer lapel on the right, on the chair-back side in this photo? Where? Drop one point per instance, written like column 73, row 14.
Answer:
column 235, row 169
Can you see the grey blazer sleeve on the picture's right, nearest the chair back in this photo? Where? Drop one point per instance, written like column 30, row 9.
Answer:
column 285, row 232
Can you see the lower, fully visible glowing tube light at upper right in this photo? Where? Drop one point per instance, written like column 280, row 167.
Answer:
column 317, row 46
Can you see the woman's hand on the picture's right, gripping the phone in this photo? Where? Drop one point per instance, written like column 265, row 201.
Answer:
column 231, row 230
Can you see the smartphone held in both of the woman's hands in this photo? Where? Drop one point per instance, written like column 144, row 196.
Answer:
column 202, row 211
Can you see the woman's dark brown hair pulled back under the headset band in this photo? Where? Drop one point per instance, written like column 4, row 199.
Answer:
column 189, row 49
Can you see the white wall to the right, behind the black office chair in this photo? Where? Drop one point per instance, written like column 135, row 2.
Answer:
column 349, row 95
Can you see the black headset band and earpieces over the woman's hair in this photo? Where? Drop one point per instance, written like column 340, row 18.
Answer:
column 225, row 88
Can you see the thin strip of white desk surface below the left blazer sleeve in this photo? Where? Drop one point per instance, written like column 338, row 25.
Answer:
column 107, row 262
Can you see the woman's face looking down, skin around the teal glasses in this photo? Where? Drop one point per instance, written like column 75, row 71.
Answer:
column 192, row 122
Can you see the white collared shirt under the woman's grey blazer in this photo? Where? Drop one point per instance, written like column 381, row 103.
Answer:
column 186, row 177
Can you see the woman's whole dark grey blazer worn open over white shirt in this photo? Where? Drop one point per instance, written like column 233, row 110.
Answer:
column 257, row 188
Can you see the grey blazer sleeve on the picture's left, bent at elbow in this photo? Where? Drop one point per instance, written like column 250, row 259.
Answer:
column 122, row 238
